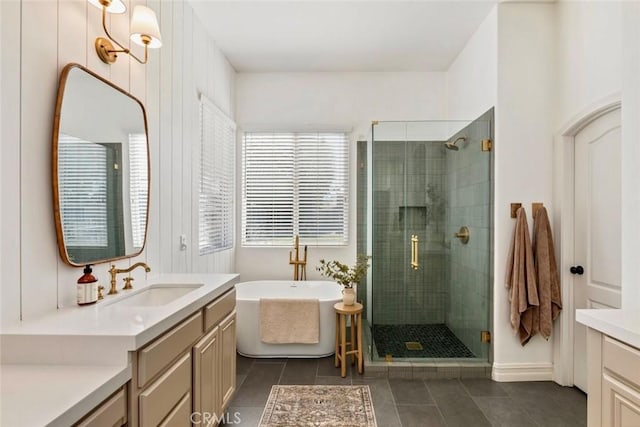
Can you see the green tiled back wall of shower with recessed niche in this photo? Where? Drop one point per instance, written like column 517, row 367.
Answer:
column 406, row 204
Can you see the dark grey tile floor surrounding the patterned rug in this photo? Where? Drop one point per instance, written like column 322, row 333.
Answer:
column 419, row 403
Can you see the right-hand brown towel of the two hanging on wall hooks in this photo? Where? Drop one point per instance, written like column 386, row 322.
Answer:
column 547, row 276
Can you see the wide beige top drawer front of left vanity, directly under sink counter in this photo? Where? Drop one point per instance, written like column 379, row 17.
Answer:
column 155, row 356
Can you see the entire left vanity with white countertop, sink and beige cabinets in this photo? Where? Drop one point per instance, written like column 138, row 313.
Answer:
column 163, row 354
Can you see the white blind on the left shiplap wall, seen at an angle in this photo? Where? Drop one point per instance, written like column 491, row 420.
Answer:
column 217, row 150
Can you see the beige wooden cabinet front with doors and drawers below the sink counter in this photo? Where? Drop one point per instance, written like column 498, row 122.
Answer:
column 188, row 369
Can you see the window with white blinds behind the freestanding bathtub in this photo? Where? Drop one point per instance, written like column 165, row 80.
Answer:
column 295, row 183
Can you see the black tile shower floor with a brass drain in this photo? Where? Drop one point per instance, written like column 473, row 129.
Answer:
column 437, row 341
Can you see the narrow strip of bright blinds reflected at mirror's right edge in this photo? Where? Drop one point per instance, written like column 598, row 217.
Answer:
column 139, row 191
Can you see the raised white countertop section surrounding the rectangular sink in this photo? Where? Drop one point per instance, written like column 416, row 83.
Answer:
column 74, row 332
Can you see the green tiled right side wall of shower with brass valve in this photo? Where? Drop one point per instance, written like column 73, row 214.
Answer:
column 469, row 185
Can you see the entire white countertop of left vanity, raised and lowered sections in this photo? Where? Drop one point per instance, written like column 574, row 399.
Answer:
column 58, row 367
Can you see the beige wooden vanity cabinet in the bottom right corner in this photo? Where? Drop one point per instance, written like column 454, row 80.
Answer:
column 613, row 381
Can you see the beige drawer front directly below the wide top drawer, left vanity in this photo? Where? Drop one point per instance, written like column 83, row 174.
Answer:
column 169, row 390
